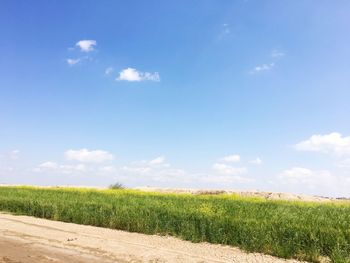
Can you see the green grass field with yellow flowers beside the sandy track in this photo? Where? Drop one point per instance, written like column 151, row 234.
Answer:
column 307, row 231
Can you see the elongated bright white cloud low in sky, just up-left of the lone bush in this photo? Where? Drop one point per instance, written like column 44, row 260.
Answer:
column 85, row 155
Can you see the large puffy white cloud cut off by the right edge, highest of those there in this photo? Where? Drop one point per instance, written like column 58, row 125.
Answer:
column 333, row 143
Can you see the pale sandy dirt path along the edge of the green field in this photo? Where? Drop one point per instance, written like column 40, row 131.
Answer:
column 28, row 239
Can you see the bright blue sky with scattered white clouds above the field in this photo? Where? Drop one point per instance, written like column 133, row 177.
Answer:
column 244, row 94
